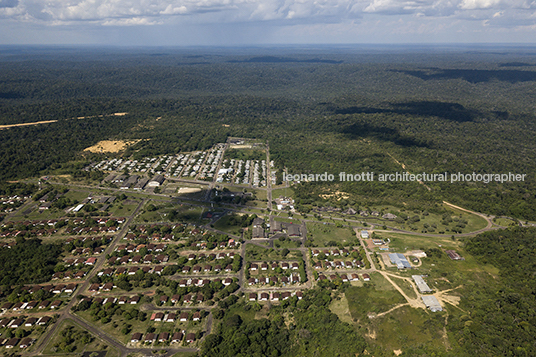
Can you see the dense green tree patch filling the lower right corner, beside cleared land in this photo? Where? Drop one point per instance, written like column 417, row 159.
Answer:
column 501, row 318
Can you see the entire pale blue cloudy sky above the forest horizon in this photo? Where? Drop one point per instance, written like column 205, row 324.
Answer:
column 265, row 22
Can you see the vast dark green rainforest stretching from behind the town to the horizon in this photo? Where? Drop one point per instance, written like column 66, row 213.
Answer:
column 339, row 110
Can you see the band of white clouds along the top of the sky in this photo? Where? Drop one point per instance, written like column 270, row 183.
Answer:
column 492, row 13
